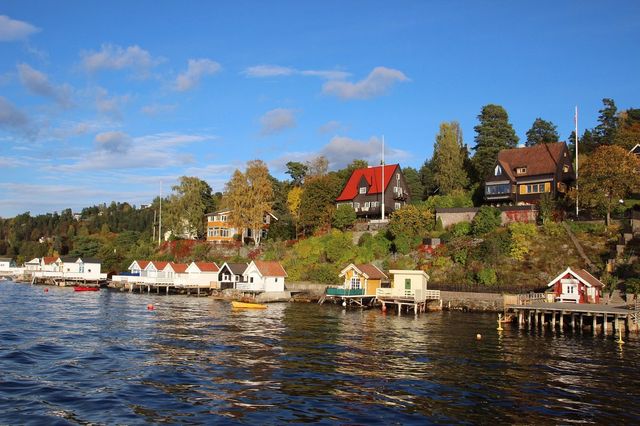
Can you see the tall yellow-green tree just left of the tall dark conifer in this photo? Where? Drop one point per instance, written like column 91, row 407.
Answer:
column 448, row 159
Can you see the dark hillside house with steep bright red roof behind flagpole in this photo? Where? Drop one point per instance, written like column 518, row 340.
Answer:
column 364, row 191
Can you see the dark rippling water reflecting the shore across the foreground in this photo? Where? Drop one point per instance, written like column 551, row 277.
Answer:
column 102, row 358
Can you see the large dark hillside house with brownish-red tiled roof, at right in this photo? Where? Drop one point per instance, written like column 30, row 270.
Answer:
column 522, row 175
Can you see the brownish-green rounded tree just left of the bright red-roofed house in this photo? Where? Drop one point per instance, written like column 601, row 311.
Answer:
column 318, row 201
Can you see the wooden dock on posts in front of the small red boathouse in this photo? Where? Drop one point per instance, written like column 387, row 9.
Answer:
column 560, row 316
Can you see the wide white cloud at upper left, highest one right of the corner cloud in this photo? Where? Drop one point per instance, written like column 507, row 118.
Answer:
column 113, row 57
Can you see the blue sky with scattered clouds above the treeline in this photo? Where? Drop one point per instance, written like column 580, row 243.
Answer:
column 102, row 101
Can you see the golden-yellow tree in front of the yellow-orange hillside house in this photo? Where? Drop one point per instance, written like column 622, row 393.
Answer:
column 249, row 196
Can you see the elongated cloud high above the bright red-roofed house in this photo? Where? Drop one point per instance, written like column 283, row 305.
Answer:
column 377, row 83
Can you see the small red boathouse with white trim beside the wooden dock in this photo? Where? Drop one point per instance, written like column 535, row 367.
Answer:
column 577, row 286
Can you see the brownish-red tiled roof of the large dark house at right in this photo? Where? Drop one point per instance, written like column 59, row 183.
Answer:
column 539, row 159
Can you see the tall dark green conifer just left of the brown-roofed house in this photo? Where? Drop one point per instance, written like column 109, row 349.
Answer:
column 493, row 133
